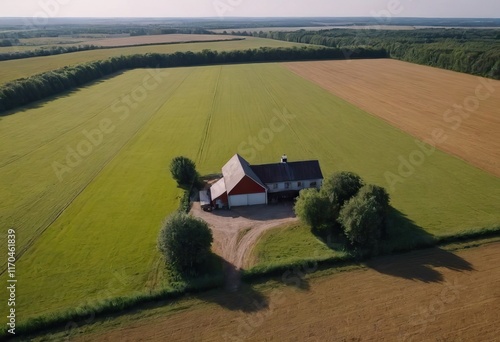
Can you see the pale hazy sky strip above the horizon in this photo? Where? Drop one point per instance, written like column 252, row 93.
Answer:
column 249, row 8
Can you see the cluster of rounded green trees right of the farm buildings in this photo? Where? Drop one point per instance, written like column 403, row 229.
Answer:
column 346, row 207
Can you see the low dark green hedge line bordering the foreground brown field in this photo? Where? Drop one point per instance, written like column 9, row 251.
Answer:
column 100, row 309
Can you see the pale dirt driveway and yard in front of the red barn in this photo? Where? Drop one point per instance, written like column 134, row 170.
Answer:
column 237, row 230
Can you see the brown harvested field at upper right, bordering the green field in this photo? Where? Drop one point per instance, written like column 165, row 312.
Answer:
column 420, row 100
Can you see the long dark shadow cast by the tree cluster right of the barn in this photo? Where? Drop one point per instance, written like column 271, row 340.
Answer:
column 419, row 265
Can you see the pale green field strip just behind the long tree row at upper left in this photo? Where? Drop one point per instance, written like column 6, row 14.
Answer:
column 14, row 69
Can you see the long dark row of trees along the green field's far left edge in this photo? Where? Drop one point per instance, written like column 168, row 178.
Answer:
column 37, row 87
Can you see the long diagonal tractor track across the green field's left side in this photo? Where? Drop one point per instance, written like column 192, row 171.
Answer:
column 39, row 232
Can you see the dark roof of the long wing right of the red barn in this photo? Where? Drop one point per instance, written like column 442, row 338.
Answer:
column 288, row 172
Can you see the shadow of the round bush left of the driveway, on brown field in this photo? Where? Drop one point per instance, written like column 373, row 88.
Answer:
column 236, row 296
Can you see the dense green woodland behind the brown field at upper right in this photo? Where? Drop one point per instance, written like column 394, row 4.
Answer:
column 474, row 51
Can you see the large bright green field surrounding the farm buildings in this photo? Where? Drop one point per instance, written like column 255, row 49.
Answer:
column 103, row 243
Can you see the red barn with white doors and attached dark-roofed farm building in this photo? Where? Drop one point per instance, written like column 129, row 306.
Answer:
column 243, row 184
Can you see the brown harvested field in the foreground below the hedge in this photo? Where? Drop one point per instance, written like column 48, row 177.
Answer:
column 424, row 295
